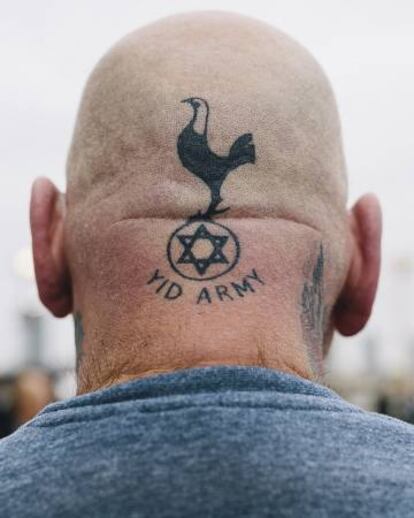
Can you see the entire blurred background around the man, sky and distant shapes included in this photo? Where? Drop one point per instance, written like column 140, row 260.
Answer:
column 48, row 49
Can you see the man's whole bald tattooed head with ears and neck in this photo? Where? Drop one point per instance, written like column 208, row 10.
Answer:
column 209, row 231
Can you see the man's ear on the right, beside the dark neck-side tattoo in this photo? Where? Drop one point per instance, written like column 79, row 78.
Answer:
column 355, row 302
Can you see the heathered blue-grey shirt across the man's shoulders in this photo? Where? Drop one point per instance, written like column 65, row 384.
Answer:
column 210, row 442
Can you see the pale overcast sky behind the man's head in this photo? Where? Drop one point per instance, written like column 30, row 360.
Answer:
column 366, row 47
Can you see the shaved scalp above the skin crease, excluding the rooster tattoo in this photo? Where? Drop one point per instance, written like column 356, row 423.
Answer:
column 255, row 79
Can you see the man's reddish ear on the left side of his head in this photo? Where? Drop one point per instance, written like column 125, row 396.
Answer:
column 47, row 216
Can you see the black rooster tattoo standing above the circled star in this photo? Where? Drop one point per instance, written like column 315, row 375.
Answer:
column 196, row 155
